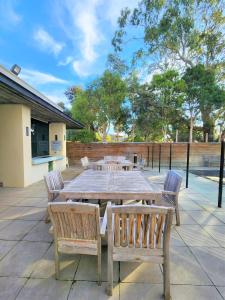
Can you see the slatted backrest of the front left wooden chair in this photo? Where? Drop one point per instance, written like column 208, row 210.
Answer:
column 76, row 221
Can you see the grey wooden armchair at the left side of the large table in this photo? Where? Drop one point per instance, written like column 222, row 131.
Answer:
column 54, row 183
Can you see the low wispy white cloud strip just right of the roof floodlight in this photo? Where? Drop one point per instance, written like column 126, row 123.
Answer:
column 36, row 78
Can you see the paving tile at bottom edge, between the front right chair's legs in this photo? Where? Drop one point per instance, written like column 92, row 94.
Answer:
column 141, row 291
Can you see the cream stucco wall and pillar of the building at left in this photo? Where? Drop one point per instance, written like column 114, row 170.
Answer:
column 16, row 168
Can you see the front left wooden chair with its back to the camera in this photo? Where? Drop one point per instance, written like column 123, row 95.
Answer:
column 77, row 229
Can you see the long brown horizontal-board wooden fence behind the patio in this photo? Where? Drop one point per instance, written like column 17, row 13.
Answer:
column 201, row 154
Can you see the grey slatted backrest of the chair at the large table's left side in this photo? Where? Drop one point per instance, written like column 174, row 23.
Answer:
column 53, row 181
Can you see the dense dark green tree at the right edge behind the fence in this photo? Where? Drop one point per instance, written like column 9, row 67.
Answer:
column 204, row 95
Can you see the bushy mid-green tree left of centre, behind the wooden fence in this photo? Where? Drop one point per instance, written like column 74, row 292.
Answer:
column 100, row 105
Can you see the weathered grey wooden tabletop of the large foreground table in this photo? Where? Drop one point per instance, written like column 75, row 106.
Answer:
column 118, row 185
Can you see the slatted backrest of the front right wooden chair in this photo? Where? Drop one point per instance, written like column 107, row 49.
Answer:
column 138, row 226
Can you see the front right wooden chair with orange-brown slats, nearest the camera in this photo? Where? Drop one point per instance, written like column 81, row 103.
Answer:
column 139, row 233
